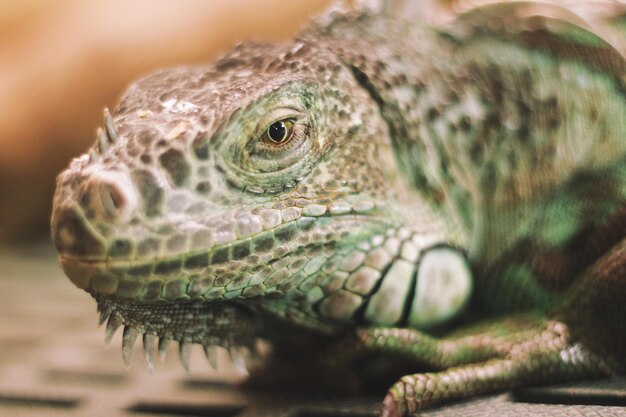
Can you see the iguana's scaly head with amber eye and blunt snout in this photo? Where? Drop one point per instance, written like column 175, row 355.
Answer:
column 225, row 189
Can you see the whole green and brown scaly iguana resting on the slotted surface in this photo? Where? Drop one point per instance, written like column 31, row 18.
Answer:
column 451, row 195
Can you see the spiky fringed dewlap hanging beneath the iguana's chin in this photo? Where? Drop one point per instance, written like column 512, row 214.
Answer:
column 217, row 324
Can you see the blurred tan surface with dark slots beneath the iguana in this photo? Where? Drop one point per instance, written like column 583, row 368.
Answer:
column 53, row 363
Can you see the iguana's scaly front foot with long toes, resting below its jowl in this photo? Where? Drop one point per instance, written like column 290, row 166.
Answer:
column 486, row 358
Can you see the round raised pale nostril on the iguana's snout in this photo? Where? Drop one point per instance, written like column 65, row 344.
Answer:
column 113, row 197
